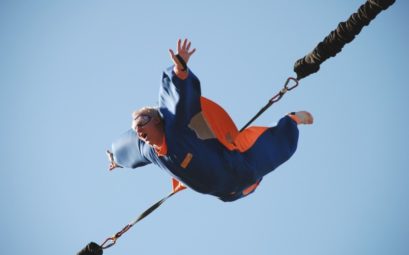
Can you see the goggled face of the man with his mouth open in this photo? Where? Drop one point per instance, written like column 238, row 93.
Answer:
column 149, row 130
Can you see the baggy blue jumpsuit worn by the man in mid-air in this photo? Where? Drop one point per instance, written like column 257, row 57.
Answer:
column 195, row 156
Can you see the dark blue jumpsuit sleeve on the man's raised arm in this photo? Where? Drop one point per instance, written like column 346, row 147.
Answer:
column 179, row 100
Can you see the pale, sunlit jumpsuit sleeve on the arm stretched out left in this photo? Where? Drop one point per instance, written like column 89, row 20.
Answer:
column 129, row 151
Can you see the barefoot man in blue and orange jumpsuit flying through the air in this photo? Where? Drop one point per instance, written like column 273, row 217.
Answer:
column 195, row 140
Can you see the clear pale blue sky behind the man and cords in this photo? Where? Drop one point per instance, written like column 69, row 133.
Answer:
column 71, row 73
